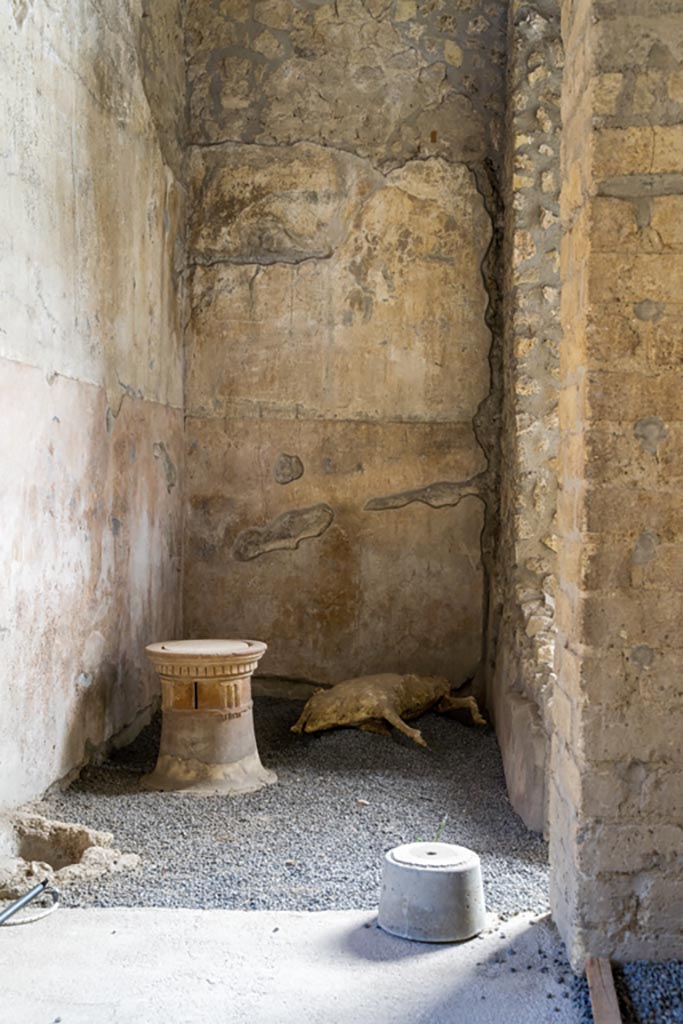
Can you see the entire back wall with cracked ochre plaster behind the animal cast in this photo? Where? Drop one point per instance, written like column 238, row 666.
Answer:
column 338, row 382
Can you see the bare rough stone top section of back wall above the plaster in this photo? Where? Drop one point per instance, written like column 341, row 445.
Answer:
column 390, row 84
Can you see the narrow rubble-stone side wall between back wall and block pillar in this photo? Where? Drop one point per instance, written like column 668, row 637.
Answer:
column 526, row 567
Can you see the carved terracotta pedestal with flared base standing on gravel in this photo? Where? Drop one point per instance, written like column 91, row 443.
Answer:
column 207, row 743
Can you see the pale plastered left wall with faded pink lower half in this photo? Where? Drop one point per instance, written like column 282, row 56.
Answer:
column 91, row 374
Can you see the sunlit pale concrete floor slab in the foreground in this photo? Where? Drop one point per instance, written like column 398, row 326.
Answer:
column 231, row 967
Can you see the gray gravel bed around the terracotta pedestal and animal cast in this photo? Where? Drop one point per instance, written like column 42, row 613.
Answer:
column 316, row 840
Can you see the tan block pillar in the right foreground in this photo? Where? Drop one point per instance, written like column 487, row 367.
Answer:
column 616, row 808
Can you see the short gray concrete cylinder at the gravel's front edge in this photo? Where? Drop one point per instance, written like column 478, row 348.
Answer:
column 433, row 892
